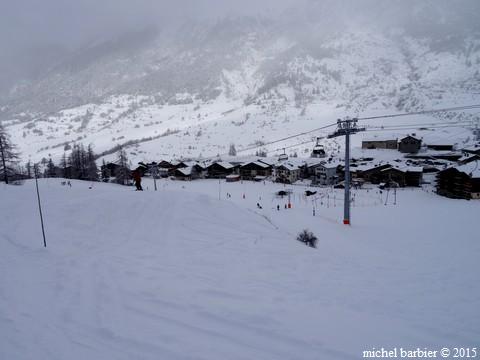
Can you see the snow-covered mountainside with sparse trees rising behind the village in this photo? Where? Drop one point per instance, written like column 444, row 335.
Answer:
column 194, row 89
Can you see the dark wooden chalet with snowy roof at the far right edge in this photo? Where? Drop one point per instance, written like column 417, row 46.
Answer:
column 460, row 182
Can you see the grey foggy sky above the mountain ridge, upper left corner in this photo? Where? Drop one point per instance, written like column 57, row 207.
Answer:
column 35, row 33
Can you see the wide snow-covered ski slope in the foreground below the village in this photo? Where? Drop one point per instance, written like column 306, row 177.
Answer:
column 180, row 274
